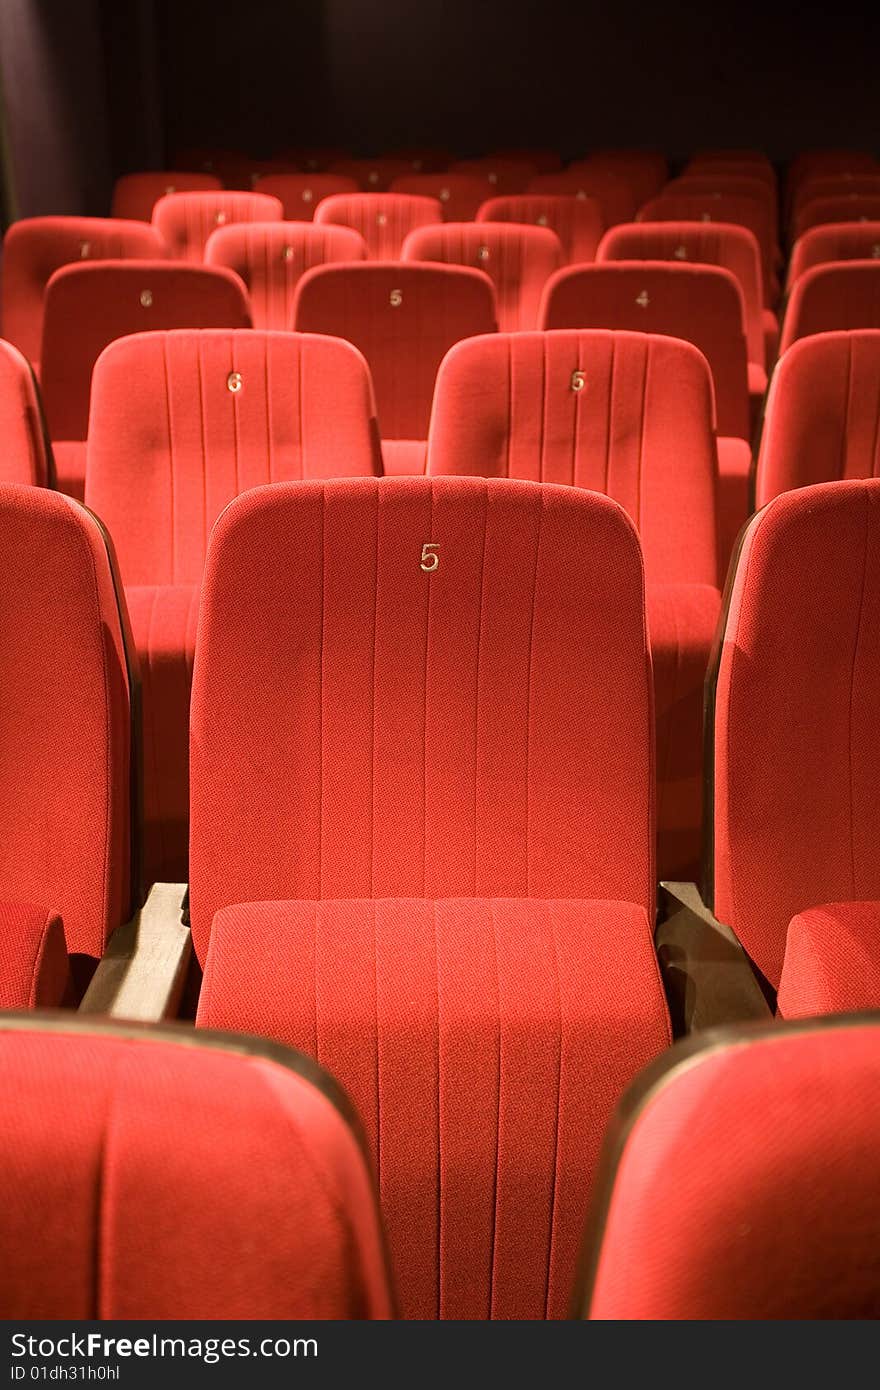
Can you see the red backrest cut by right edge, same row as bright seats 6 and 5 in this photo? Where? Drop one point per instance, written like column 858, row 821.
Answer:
column 824, row 414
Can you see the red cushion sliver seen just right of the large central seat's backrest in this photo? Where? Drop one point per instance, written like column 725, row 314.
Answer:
column 682, row 622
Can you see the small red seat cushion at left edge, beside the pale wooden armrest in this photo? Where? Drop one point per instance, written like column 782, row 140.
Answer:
column 34, row 965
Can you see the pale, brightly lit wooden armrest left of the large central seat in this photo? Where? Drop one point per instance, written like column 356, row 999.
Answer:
column 144, row 970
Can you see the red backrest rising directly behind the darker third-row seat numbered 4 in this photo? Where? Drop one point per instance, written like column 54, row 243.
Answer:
column 714, row 244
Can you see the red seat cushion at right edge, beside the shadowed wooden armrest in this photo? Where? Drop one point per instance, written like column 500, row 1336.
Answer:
column 832, row 961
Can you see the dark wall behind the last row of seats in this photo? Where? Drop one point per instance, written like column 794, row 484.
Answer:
column 97, row 87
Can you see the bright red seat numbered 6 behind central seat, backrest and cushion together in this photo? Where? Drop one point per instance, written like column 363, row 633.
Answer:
column 181, row 423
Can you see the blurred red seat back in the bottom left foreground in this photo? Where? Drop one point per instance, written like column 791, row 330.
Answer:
column 149, row 1178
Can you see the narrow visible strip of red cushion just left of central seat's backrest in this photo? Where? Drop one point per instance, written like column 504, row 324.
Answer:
column 163, row 623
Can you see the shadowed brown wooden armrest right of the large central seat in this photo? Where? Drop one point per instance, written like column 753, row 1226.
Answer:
column 707, row 974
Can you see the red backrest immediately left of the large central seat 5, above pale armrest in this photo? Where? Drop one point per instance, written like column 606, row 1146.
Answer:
column 65, row 719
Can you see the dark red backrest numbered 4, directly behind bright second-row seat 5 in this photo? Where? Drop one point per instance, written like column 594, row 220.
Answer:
column 701, row 304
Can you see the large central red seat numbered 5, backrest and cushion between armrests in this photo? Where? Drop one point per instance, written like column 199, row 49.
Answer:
column 411, row 653
